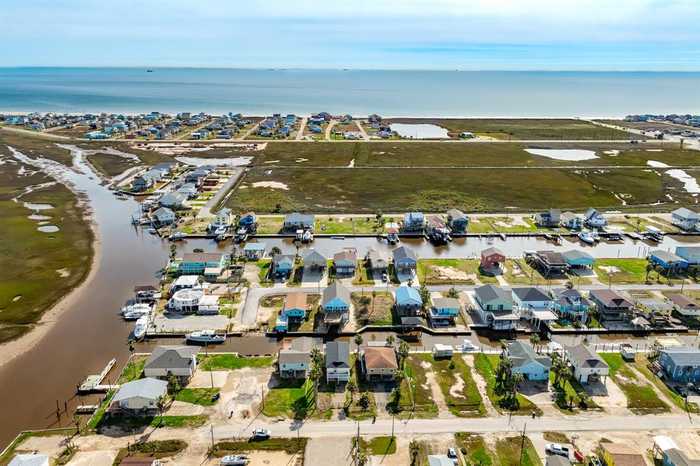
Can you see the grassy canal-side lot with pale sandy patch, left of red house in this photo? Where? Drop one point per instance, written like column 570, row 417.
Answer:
column 451, row 272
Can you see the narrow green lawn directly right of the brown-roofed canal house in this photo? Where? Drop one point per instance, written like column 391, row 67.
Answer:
column 416, row 396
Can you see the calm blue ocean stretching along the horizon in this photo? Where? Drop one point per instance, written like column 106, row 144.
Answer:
column 358, row 92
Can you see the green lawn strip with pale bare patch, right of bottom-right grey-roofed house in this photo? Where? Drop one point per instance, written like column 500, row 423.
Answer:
column 641, row 397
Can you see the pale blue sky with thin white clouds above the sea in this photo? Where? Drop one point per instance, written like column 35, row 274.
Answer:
column 387, row 34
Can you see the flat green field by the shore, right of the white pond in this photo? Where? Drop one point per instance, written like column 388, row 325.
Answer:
column 522, row 128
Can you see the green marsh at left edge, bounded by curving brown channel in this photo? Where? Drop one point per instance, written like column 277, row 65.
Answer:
column 38, row 268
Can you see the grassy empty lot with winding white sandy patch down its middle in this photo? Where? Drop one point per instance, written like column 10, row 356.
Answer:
column 466, row 402
